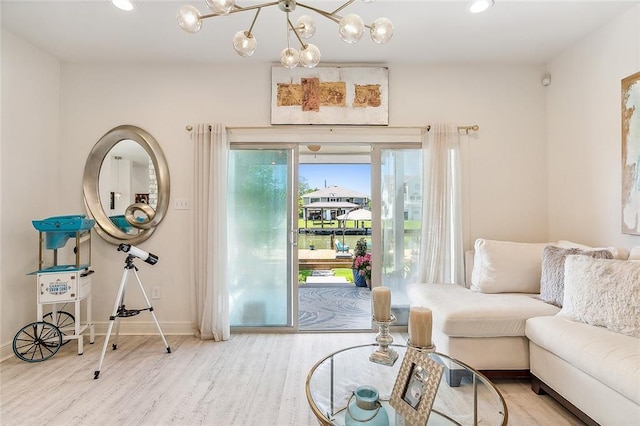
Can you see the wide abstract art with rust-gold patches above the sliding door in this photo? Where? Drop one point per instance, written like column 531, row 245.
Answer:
column 330, row 95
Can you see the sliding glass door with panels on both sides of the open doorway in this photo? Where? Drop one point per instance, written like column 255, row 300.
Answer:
column 263, row 225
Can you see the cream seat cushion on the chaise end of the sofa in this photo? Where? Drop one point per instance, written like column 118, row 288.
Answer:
column 460, row 312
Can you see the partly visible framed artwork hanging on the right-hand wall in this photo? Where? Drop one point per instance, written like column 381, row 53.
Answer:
column 631, row 154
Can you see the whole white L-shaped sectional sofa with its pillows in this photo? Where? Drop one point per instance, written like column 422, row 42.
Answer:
column 580, row 344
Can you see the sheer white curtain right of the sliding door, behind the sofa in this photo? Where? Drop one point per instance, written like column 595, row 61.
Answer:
column 441, row 250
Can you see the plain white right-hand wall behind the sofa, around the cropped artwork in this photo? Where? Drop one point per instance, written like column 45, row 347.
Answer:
column 584, row 134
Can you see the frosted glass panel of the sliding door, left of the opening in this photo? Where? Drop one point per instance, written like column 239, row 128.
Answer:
column 261, row 234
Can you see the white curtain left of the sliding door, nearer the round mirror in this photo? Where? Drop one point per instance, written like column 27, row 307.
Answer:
column 211, row 294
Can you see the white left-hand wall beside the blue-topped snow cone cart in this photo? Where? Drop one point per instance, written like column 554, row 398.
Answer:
column 31, row 173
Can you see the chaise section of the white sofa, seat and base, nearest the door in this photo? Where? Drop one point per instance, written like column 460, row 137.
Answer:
column 486, row 331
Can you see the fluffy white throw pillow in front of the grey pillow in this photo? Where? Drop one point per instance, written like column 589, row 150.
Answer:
column 603, row 293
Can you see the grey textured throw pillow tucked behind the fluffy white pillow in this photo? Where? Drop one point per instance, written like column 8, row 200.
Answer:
column 552, row 280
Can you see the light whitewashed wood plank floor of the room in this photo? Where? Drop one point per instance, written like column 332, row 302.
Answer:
column 252, row 379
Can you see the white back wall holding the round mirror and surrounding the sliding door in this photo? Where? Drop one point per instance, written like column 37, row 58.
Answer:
column 507, row 173
